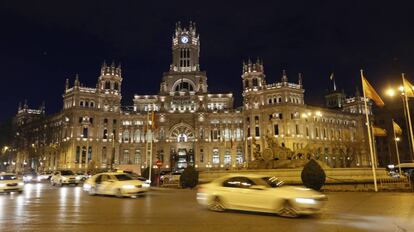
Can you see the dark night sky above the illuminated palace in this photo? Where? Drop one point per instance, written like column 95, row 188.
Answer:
column 44, row 42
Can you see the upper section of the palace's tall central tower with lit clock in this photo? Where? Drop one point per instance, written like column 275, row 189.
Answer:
column 185, row 49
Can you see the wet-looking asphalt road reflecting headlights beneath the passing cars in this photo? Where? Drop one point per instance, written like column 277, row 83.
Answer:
column 45, row 208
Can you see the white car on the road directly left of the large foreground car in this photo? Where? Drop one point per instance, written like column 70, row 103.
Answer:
column 117, row 184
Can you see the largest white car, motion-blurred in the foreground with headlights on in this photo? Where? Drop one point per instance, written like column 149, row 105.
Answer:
column 259, row 193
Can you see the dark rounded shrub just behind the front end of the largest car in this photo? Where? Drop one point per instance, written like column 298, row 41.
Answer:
column 313, row 176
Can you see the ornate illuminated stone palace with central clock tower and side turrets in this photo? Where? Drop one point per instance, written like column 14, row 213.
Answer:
column 190, row 126
